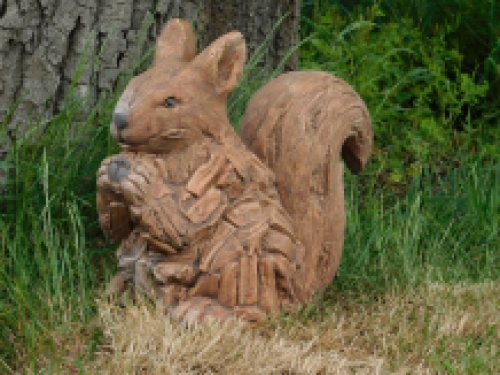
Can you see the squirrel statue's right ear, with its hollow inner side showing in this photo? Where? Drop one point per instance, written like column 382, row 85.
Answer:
column 223, row 62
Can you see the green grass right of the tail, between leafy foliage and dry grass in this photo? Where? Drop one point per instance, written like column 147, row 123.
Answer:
column 445, row 228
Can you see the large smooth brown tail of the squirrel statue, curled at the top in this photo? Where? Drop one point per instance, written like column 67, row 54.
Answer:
column 300, row 124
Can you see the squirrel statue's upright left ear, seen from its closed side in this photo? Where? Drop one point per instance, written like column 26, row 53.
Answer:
column 176, row 43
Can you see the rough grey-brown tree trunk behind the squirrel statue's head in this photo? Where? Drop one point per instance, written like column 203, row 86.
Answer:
column 42, row 42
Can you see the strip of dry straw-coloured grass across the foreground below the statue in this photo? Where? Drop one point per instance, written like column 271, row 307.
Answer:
column 437, row 328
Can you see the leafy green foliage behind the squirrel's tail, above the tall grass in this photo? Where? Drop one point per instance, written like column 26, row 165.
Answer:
column 424, row 101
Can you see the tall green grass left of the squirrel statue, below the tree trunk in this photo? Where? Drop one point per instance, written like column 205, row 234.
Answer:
column 51, row 264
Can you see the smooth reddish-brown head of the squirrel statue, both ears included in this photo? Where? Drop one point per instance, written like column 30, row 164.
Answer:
column 182, row 98
